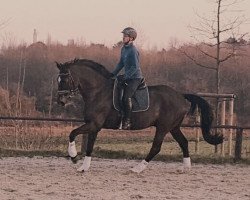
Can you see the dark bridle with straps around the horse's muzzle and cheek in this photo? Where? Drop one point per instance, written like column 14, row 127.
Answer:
column 72, row 88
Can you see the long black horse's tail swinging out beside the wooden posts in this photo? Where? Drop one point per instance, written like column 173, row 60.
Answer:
column 206, row 118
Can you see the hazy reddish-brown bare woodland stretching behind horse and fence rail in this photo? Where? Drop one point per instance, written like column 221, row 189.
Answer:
column 28, row 75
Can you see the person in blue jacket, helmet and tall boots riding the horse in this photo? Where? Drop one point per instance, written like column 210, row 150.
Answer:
column 129, row 60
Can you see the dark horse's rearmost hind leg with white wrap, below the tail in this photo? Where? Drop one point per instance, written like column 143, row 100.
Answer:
column 183, row 143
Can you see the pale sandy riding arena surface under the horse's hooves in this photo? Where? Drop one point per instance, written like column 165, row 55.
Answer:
column 57, row 178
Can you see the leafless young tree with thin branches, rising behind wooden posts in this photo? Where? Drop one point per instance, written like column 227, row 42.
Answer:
column 218, row 37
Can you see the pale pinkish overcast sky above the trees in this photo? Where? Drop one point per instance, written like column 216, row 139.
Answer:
column 101, row 21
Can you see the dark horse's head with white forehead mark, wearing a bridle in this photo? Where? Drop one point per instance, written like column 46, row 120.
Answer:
column 66, row 85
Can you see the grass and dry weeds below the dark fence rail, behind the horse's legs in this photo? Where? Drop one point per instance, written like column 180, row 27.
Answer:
column 49, row 141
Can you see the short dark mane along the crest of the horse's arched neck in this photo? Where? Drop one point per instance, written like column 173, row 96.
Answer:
column 91, row 64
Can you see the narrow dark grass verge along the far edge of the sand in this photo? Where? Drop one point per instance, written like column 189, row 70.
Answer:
column 121, row 154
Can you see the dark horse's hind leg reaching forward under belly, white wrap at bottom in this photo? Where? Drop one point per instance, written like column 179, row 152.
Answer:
column 155, row 149
